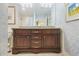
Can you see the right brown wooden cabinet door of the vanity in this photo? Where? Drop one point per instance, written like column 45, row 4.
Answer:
column 50, row 41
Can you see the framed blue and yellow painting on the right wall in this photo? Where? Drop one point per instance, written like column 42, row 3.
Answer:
column 72, row 12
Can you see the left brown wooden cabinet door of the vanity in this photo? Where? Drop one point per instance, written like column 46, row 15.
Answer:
column 22, row 42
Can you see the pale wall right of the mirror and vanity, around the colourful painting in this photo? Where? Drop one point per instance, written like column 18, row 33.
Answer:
column 70, row 30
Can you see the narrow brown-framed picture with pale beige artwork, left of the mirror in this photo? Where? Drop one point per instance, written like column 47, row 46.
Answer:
column 11, row 15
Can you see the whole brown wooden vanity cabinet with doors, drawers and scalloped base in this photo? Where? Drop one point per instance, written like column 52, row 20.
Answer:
column 36, row 40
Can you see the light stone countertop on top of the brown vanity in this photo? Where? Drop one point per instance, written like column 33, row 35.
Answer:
column 35, row 27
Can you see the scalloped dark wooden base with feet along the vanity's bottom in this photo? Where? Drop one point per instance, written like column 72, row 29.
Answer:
column 36, row 51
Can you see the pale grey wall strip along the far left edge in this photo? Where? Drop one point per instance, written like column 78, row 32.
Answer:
column 3, row 29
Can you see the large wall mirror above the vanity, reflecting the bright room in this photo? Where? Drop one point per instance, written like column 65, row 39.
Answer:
column 38, row 14
